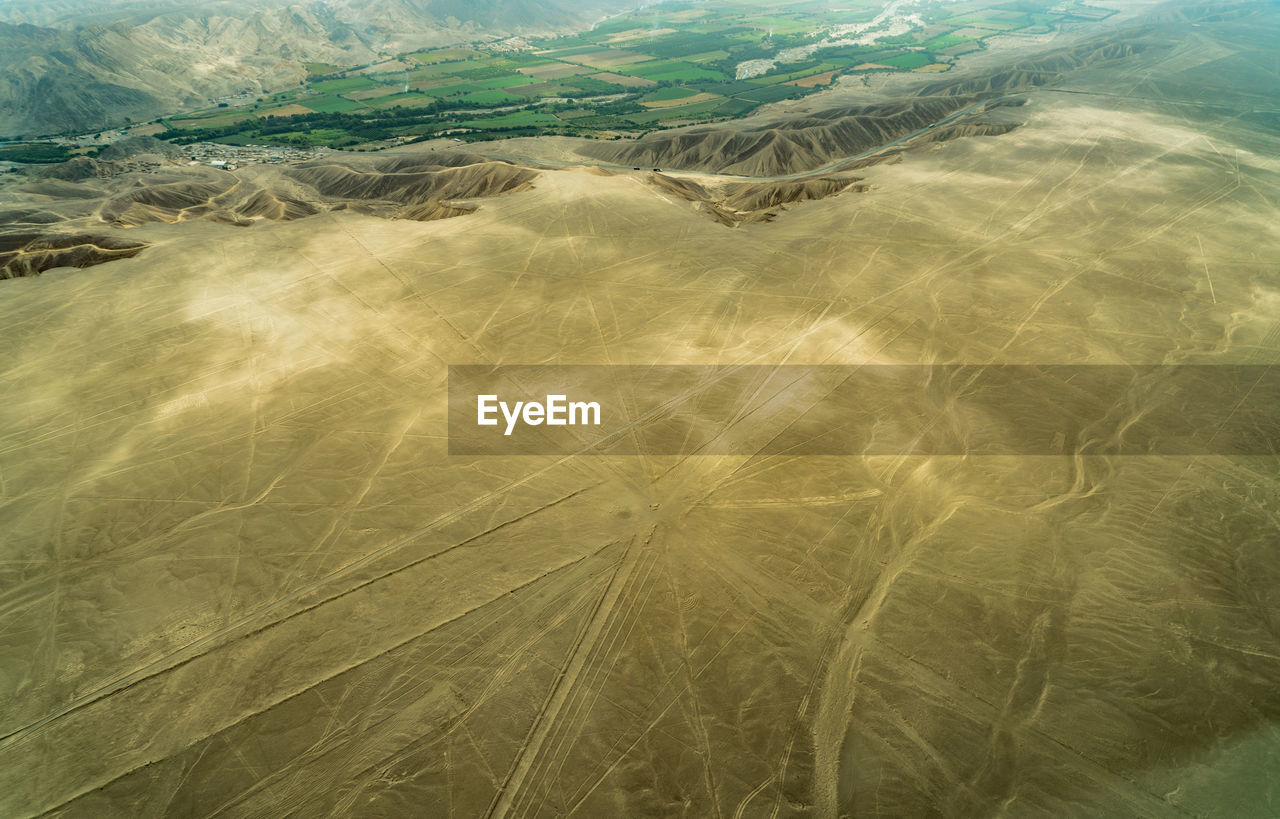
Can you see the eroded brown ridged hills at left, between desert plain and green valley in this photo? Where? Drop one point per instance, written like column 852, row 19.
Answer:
column 84, row 202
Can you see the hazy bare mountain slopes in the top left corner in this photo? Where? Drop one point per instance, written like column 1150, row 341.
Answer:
column 71, row 66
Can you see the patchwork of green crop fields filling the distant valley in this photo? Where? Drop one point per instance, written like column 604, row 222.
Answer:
column 615, row 77
